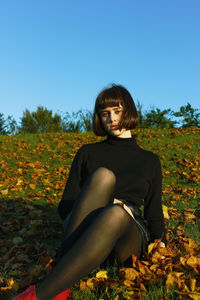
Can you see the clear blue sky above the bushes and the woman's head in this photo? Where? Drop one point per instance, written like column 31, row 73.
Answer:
column 61, row 53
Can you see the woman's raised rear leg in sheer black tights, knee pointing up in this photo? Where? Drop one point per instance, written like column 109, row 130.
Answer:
column 96, row 193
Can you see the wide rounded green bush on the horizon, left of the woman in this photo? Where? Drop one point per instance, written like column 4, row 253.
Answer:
column 40, row 121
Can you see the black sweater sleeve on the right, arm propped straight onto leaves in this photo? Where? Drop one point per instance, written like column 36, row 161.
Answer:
column 153, row 211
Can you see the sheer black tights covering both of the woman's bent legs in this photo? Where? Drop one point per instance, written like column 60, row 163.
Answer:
column 96, row 230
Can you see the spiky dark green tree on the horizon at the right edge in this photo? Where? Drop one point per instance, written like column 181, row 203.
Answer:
column 189, row 115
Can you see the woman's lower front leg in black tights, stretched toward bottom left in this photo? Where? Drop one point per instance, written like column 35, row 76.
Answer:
column 113, row 228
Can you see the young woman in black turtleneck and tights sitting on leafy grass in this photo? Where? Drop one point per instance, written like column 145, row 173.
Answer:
column 108, row 183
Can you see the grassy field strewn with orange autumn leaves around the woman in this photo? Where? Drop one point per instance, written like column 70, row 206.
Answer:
column 34, row 169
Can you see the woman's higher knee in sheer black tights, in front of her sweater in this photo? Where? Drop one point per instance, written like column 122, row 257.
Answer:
column 104, row 176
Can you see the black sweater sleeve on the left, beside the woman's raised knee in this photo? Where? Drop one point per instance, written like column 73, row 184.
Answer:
column 73, row 185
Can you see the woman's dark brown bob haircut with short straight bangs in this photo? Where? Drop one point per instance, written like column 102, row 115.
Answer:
column 115, row 96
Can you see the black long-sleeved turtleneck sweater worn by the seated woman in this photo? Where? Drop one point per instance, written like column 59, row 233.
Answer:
column 137, row 171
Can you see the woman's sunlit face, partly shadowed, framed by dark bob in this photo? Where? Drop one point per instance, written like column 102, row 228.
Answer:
column 110, row 117
